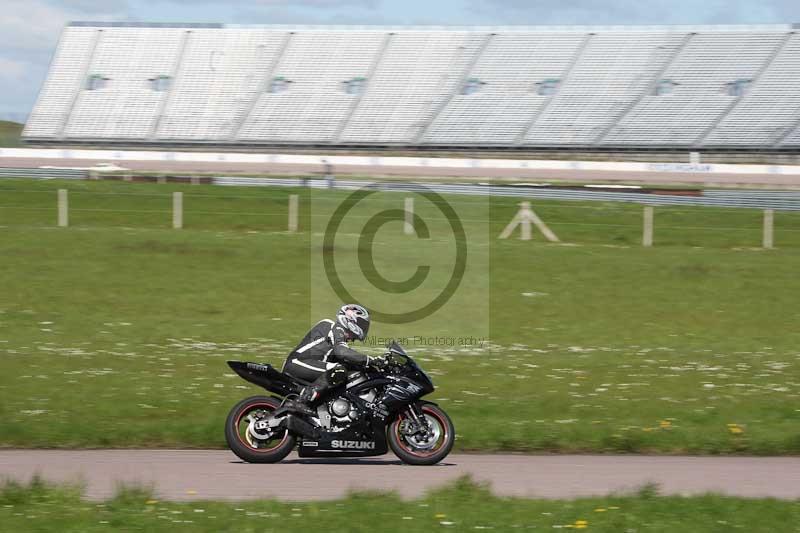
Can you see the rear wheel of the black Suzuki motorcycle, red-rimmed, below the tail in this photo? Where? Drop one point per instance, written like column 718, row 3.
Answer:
column 248, row 446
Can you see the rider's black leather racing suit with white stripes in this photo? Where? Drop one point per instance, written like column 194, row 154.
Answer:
column 323, row 357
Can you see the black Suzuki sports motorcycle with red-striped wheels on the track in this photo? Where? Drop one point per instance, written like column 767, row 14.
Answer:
column 376, row 410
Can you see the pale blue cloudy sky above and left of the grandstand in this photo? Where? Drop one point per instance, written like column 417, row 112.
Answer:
column 30, row 28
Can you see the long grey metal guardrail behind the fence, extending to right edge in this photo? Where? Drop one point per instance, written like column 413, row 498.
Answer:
column 780, row 200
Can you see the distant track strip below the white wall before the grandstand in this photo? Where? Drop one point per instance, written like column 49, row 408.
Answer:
column 604, row 176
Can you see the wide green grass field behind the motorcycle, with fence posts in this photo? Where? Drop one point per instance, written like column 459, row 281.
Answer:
column 114, row 332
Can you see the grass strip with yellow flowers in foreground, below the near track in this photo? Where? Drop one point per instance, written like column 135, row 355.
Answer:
column 461, row 506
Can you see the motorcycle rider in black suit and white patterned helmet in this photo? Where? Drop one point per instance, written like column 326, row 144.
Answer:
column 324, row 358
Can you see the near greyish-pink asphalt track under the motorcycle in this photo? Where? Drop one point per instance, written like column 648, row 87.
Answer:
column 216, row 474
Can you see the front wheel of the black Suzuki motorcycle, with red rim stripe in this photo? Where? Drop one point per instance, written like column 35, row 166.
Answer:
column 429, row 451
